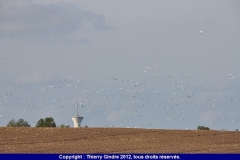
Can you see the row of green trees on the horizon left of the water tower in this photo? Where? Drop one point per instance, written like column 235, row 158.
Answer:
column 46, row 122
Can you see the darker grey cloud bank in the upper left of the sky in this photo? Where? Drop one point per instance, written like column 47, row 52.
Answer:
column 26, row 18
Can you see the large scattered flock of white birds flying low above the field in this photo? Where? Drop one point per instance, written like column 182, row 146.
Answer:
column 152, row 100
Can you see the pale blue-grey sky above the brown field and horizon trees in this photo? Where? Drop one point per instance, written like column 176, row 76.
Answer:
column 137, row 64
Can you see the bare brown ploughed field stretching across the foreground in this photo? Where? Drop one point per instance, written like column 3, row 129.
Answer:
column 116, row 140
